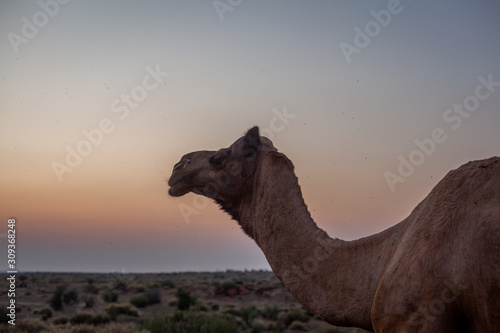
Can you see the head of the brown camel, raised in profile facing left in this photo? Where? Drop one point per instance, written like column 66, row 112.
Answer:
column 225, row 175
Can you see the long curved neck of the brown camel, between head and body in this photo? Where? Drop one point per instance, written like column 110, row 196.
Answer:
column 333, row 278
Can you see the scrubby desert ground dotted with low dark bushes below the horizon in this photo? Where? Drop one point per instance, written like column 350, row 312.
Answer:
column 226, row 301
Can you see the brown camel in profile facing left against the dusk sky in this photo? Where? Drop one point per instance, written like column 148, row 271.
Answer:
column 438, row 270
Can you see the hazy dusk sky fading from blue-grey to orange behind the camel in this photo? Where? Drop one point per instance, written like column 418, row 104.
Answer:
column 373, row 101
